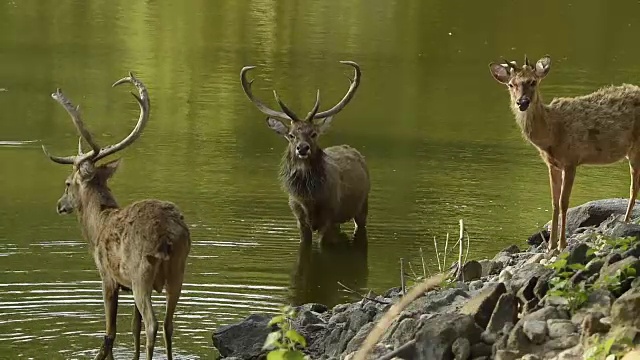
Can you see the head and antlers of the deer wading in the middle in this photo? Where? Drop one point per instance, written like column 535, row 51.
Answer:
column 302, row 134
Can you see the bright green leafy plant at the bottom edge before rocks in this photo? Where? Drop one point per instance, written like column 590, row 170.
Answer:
column 285, row 343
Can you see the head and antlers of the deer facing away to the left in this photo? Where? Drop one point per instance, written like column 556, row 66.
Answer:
column 86, row 175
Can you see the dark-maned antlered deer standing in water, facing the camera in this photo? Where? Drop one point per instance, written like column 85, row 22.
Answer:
column 328, row 186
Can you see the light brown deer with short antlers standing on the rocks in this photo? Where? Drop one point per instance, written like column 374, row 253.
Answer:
column 599, row 128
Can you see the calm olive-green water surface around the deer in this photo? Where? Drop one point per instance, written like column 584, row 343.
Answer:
column 435, row 128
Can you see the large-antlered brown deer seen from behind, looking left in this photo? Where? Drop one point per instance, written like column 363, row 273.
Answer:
column 141, row 247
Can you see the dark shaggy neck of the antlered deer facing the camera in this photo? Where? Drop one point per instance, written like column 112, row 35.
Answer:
column 304, row 178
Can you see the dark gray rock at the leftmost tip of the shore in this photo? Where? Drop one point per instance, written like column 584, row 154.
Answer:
column 243, row 339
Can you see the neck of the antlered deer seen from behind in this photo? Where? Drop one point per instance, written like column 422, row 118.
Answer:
column 96, row 203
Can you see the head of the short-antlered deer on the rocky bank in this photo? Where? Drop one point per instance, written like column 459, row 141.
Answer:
column 522, row 82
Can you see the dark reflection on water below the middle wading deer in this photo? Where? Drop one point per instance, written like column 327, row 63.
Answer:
column 319, row 268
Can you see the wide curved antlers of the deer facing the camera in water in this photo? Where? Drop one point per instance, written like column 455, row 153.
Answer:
column 314, row 114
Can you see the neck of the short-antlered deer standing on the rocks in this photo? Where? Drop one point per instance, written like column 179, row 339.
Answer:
column 534, row 122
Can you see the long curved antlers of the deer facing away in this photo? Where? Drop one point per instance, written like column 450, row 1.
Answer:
column 96, row 152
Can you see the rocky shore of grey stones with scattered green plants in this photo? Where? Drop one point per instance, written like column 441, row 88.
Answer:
column 522, row 304
